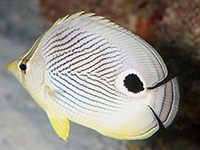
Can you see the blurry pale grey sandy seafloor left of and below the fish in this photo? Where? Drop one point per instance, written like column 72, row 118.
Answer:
column 23, row 124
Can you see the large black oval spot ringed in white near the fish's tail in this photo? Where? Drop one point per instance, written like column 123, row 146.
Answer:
column 133, row 84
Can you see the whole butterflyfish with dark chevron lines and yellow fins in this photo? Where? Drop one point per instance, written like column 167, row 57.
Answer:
column 89, row 70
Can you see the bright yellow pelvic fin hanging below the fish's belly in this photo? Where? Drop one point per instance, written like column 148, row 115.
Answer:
column 61, row 126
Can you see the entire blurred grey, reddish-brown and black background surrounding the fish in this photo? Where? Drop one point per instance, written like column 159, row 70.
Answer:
column 171, row 27
